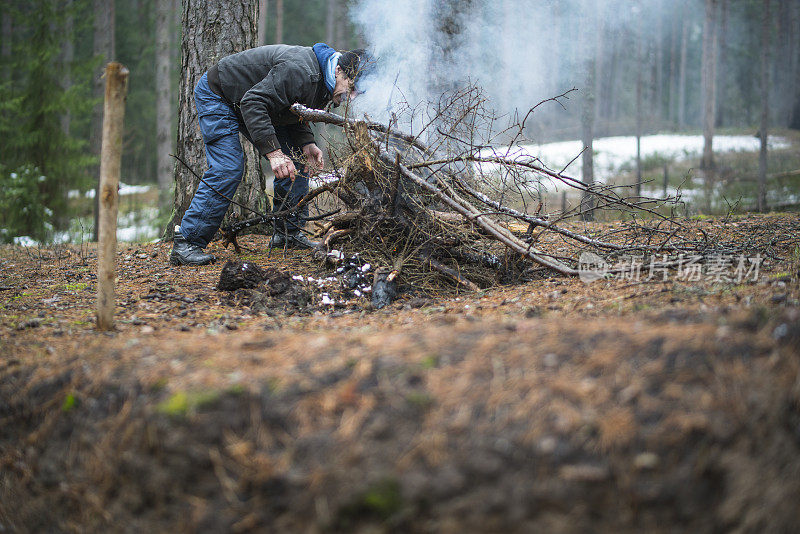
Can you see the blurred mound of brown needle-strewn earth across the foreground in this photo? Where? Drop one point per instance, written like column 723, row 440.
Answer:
column 474, row 429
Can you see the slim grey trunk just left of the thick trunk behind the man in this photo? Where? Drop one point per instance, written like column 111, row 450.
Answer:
column 164, row 107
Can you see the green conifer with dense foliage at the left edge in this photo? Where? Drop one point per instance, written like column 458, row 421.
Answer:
column 33, row 103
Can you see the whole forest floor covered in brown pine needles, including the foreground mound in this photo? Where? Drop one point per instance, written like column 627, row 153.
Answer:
column 554, row 405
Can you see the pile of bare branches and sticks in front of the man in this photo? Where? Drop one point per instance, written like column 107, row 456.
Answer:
column 442, row 203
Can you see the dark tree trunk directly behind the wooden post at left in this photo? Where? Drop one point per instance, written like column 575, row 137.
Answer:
column 103, row 47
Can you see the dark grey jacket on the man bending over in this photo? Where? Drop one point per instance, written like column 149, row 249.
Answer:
column 262, row 83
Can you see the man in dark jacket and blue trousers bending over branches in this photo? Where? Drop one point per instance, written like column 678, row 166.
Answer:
column 251, row 92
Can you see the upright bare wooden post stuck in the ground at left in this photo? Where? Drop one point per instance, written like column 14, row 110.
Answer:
column 110, row 159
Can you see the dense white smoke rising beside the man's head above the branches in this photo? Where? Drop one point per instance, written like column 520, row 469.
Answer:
column 495, row 44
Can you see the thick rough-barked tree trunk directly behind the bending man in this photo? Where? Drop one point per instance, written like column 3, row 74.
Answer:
column 211, row 31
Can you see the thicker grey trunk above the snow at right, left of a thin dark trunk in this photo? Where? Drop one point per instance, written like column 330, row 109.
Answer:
column 708, row 83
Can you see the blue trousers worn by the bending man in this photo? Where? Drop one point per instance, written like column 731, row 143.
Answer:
column 220, row 128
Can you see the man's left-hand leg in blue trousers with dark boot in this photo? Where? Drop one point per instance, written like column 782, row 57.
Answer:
column 225, row 158
